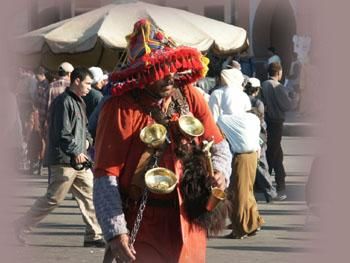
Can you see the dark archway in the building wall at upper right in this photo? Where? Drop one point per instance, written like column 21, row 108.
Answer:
column 274, row 25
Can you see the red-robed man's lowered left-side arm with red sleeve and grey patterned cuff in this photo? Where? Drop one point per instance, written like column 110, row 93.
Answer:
column 114, row 131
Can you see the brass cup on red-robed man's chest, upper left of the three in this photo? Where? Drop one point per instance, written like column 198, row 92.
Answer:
column 153, row 135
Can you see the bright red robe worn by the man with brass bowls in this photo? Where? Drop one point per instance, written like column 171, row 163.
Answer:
column 165, row 234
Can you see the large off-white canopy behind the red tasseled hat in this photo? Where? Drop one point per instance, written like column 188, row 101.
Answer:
column 96, row 37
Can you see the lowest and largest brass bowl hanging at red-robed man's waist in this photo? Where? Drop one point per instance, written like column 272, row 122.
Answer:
column 160, row 180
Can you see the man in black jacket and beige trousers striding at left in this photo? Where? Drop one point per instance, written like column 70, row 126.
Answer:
column 68, row 142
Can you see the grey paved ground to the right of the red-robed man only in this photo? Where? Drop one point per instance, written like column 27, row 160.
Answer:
column 284, row 237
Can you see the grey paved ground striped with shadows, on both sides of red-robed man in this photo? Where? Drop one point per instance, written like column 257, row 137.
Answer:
column 59, row 237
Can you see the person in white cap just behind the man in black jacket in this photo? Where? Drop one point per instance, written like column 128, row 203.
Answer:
column 95, row 95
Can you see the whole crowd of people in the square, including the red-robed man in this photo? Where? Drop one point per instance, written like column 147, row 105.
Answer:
column 84, row 125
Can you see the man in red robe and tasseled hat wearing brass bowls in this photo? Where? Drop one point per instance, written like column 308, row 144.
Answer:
column 155, row 87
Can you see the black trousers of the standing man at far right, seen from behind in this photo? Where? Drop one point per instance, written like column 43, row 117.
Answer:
column 274, row 153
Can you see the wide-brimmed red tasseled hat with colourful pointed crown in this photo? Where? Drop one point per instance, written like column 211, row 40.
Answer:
column 151, row 55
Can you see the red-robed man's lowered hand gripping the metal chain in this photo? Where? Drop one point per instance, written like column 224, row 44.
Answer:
column 121, row 250
